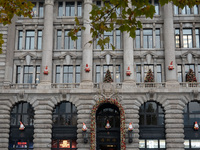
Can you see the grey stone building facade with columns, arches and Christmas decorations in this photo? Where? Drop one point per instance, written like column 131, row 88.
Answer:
column 163, row 112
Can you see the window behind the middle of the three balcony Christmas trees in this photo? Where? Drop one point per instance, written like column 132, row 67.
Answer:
column 140, row 76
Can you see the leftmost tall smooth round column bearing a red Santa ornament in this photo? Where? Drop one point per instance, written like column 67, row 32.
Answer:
column 47, row 50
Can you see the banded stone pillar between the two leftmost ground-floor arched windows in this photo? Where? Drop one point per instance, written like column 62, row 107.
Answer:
column 43, row 125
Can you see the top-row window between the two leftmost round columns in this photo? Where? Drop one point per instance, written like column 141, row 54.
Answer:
column 70, row 8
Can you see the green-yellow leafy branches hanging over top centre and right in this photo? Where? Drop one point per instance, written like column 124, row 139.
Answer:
column 124, row 15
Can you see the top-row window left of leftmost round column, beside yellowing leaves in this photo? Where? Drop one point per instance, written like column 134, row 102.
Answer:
column 38, row 9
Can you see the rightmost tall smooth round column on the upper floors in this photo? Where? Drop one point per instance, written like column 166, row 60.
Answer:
column 169, row 44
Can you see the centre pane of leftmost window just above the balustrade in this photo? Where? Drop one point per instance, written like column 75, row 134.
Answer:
column 28, row 74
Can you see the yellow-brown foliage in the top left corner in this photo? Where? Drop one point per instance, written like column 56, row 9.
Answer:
column 9, row 8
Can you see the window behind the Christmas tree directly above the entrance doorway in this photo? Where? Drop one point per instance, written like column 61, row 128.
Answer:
column 115, row 73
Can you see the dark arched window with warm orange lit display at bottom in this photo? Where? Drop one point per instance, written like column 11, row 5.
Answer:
column 64, row 131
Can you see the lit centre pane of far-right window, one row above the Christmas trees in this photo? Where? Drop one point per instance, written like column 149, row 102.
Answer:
column 187, row 38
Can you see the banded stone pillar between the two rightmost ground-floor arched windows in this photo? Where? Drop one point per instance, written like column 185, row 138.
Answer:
column 174, row 126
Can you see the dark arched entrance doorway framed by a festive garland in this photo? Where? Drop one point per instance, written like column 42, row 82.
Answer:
column 108, row 138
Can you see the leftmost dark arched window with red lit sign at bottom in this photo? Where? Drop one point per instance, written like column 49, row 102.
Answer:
column 22, row 115
